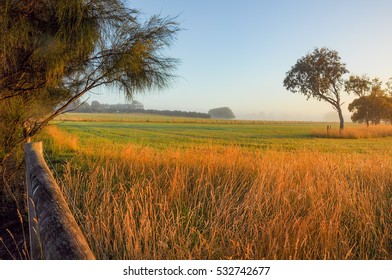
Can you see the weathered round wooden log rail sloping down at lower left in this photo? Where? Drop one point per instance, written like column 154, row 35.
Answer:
column 59, row 235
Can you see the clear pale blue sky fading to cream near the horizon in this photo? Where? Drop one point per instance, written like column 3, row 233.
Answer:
column 236, row 53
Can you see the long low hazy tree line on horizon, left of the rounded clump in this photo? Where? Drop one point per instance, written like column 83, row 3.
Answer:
column 134, row 107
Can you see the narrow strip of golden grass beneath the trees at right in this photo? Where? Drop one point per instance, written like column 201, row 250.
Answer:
column 355, row 132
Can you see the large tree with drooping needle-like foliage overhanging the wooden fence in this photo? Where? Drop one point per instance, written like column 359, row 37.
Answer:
column 53, row 52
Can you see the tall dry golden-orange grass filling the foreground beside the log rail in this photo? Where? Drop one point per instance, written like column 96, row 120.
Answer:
column 228, row 203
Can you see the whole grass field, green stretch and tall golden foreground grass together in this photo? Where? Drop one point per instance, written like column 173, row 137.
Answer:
column 165, row 188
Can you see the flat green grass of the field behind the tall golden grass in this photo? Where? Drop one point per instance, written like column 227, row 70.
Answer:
column 165, row 132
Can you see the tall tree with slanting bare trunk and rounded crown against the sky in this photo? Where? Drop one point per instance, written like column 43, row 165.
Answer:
column 319, row 75
